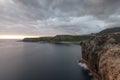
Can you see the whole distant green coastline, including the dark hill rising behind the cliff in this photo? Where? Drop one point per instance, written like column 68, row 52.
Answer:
column 71, row 39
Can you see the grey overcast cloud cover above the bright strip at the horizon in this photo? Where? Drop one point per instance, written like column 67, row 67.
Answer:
column 51, row 17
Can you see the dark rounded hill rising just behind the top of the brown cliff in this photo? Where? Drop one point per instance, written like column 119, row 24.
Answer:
column 110, row 30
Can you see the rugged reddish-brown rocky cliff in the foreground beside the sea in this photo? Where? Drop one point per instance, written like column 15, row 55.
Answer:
column 102, row 56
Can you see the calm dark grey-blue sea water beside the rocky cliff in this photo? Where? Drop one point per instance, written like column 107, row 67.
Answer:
column 40, row 61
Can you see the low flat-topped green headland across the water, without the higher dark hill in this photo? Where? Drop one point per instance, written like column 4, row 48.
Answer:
column 60, row 38
